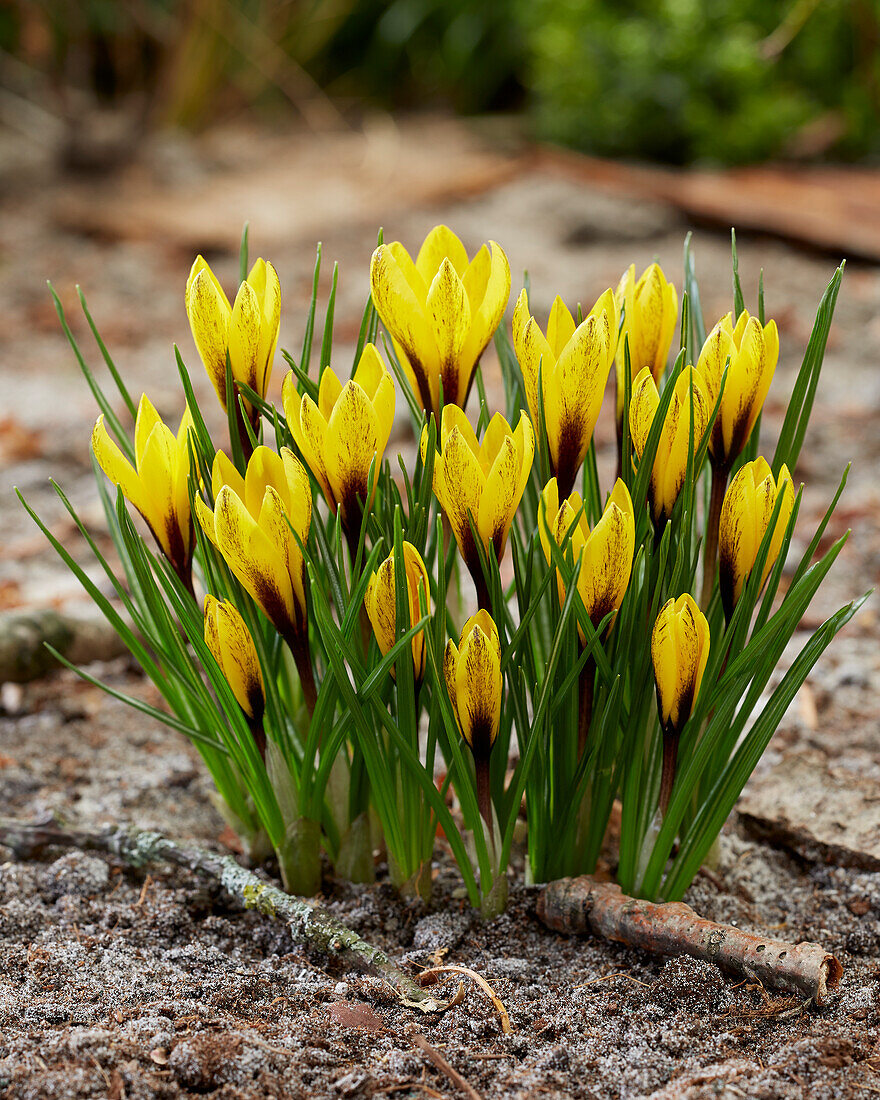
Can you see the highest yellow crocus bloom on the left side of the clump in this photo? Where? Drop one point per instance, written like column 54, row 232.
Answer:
column 248, row 329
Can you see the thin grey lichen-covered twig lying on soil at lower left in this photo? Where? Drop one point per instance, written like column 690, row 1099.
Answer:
column 309, row 922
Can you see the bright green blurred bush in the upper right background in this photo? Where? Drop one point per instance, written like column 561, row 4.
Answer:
column 728, row 81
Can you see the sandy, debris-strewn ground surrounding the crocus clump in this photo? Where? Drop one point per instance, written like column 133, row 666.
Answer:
column 116, row 985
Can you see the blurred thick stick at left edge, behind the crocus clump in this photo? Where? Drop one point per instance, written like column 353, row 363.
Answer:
column 82, row 640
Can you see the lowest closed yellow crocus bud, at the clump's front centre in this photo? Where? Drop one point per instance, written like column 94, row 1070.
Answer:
column 474, row 675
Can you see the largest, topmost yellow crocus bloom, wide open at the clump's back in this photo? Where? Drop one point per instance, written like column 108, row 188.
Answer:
column 442, row 311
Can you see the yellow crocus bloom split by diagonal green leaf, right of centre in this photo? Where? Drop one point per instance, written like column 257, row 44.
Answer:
column 670, row 464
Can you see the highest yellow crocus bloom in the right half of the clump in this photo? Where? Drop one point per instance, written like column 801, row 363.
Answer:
column 651, row 307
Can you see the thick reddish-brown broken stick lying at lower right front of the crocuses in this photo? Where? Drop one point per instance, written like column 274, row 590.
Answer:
column 582, row 905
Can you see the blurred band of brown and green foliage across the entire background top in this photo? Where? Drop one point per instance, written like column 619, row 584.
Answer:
column 676, row 81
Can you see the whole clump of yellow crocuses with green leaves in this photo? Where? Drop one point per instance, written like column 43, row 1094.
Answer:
column 302, row 613
